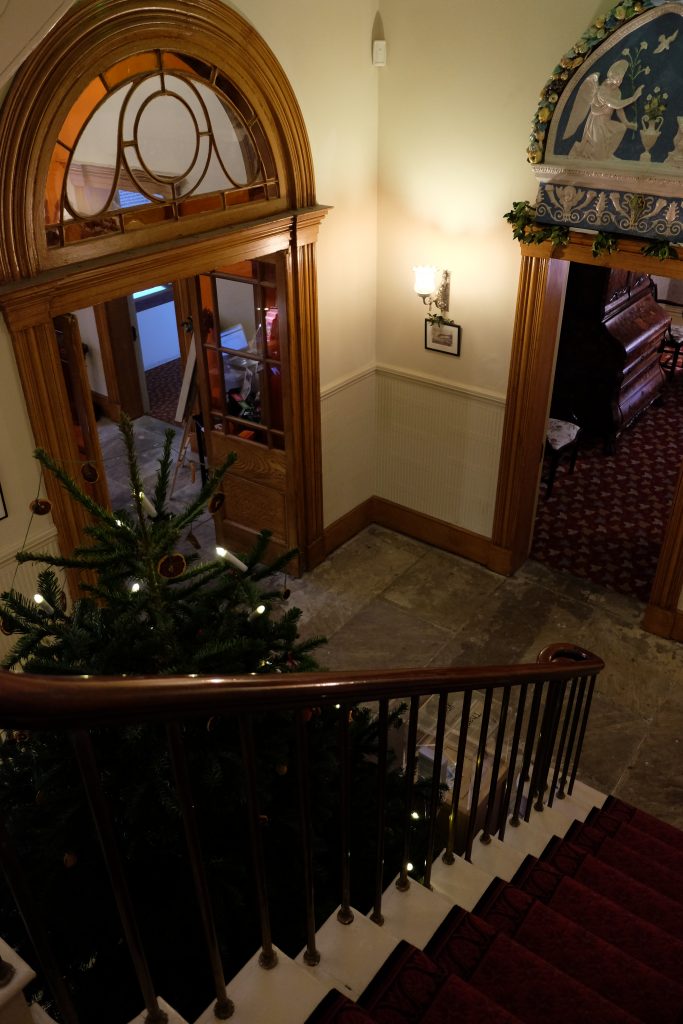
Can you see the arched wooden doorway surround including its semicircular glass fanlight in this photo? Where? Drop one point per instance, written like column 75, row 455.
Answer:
column 233, row 182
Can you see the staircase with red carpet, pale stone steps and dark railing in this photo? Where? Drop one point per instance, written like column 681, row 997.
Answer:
column 542, row 905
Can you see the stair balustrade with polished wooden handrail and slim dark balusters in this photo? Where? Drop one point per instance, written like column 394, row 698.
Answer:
column 532, row 753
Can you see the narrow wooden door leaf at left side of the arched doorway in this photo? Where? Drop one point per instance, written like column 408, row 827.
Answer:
column 91, row 472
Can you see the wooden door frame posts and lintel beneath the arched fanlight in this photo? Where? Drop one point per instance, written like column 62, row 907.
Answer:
column 29, row 310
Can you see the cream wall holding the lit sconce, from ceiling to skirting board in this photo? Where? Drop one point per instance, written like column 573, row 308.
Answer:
column 456, row 105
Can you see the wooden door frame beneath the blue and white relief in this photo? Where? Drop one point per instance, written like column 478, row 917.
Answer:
column 540, row 300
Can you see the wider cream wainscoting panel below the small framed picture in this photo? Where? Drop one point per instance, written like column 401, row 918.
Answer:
column 439, row 449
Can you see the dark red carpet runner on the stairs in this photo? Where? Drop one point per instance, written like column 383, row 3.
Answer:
column 590, row 932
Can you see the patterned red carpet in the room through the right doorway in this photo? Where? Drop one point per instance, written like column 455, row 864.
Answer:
column 606, row 522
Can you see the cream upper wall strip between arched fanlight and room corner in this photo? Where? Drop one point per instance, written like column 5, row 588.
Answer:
column 325, row 49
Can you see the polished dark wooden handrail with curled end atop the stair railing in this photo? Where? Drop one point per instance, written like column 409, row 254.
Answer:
column 29, row 702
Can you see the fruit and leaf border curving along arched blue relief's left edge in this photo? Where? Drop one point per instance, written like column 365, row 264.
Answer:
column 602, row 29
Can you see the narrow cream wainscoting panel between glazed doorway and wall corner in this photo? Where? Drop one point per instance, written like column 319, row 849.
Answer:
column 349, row 420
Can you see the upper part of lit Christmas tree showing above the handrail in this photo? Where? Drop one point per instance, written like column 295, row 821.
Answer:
column 153, row 610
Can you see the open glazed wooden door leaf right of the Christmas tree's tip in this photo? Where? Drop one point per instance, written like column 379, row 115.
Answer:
column 243, row 382
